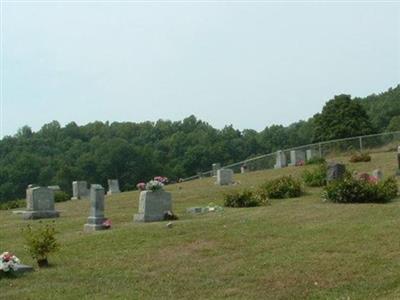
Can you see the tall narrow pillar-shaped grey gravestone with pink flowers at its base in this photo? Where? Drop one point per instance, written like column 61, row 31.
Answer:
column 96, row 218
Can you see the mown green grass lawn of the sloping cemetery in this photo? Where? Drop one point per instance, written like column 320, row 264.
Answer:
column 292, row 249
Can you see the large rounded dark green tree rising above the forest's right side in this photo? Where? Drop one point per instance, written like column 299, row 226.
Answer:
column 341, row 117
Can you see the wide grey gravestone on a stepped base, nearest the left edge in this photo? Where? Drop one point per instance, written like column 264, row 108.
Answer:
column 40, row 204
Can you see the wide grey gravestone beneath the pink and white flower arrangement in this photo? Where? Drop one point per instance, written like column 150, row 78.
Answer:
column 153, row 206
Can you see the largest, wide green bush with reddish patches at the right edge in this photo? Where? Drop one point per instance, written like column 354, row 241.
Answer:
column 352, row 190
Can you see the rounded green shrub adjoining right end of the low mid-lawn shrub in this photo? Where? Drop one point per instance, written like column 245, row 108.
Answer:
column 282, row 187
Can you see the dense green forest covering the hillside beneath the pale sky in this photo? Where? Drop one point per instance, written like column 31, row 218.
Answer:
column 134, row 152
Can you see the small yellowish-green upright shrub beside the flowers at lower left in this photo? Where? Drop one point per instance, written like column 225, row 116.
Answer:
column 40, row 242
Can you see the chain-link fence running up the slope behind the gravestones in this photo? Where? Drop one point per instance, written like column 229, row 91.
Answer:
column 382, row 142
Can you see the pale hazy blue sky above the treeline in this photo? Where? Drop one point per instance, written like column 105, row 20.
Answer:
column 250, row 64
